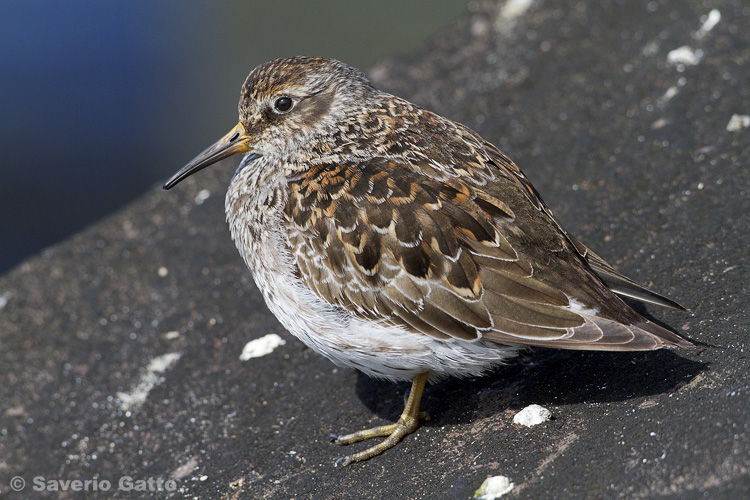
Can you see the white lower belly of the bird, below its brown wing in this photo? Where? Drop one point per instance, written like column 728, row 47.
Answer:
column 378, row 349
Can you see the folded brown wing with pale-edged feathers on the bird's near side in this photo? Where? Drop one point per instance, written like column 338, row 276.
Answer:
column 457, row 251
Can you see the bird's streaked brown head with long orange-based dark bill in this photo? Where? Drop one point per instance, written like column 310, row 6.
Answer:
column 284, row 104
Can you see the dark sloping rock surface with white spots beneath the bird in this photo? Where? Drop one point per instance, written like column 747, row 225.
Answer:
column 119, row 348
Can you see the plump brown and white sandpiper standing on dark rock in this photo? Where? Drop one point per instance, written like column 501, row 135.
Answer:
column 400, row 243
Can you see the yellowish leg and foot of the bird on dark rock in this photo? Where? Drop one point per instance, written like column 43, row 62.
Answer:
column 407, row 423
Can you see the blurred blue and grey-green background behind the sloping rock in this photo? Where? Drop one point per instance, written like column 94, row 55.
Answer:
column 100, row 100
